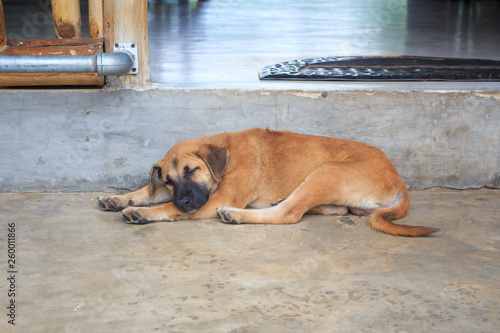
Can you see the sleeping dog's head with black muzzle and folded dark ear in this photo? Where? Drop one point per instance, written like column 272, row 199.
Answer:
column 191, row 173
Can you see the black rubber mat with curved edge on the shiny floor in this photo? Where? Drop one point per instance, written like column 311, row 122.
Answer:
column 387, row 68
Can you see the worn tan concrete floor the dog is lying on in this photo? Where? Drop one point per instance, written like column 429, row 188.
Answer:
column 83, row 270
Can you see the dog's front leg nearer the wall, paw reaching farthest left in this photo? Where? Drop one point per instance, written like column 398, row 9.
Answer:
column 141, row 197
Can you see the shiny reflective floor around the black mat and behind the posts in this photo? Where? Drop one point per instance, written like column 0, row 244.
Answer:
column 224, row 43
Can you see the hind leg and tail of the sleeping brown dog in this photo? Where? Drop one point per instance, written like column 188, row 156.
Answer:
column 338, row 184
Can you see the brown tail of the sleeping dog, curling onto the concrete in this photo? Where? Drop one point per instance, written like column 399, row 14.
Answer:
column 380, row 219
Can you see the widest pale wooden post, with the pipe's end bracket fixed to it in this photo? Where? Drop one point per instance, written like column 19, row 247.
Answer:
column 127, row 22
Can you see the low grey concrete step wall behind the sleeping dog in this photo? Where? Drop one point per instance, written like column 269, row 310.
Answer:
column 63, row 140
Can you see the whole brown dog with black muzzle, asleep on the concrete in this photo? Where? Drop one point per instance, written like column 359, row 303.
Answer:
column 264, row 176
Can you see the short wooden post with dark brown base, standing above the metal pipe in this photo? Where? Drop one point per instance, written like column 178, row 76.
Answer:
column 67, row 20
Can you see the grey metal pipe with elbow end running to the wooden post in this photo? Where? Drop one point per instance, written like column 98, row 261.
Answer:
column 104, row 64
